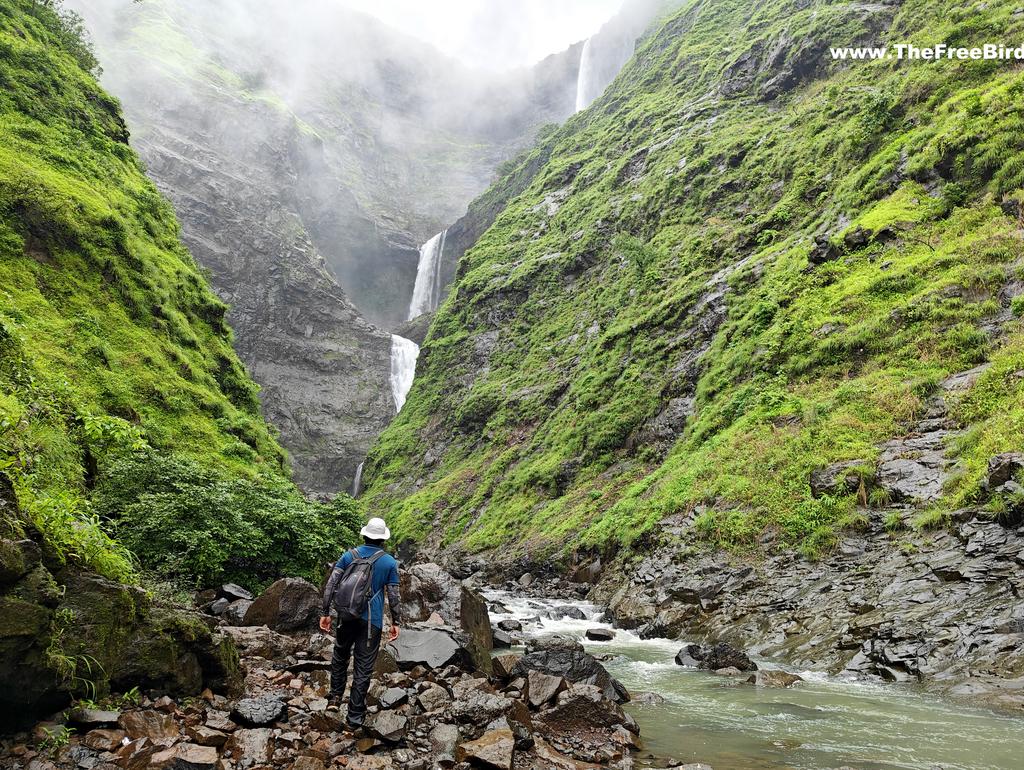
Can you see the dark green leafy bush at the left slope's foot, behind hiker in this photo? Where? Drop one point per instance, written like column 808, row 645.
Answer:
column 185, row 522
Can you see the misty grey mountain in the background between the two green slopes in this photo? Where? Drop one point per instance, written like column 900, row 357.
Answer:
column 309, row 151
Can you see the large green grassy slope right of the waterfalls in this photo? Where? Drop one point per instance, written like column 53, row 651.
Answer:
column 663, row 255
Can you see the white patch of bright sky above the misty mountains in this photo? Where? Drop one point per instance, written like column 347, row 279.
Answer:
column 494, row 34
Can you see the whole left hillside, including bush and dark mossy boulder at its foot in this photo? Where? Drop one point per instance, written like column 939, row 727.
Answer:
column 124, row 410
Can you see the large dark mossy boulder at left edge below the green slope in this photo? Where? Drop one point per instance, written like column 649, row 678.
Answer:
column 118, row 628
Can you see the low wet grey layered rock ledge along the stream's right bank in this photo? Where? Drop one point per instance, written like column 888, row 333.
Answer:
column 945, row 610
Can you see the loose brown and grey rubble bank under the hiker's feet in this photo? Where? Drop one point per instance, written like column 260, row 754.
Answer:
column 420, row 716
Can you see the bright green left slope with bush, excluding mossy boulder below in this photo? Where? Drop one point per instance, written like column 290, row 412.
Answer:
column 123, row 407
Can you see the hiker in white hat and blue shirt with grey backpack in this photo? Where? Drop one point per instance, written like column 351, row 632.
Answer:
column 356, row 590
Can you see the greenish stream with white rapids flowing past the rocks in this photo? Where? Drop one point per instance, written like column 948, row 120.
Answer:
column 824, row 722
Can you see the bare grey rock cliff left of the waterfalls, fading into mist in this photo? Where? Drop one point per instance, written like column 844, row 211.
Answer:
column 323, row 368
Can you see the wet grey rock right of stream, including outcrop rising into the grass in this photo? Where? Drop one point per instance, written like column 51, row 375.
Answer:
column 941, row 607
